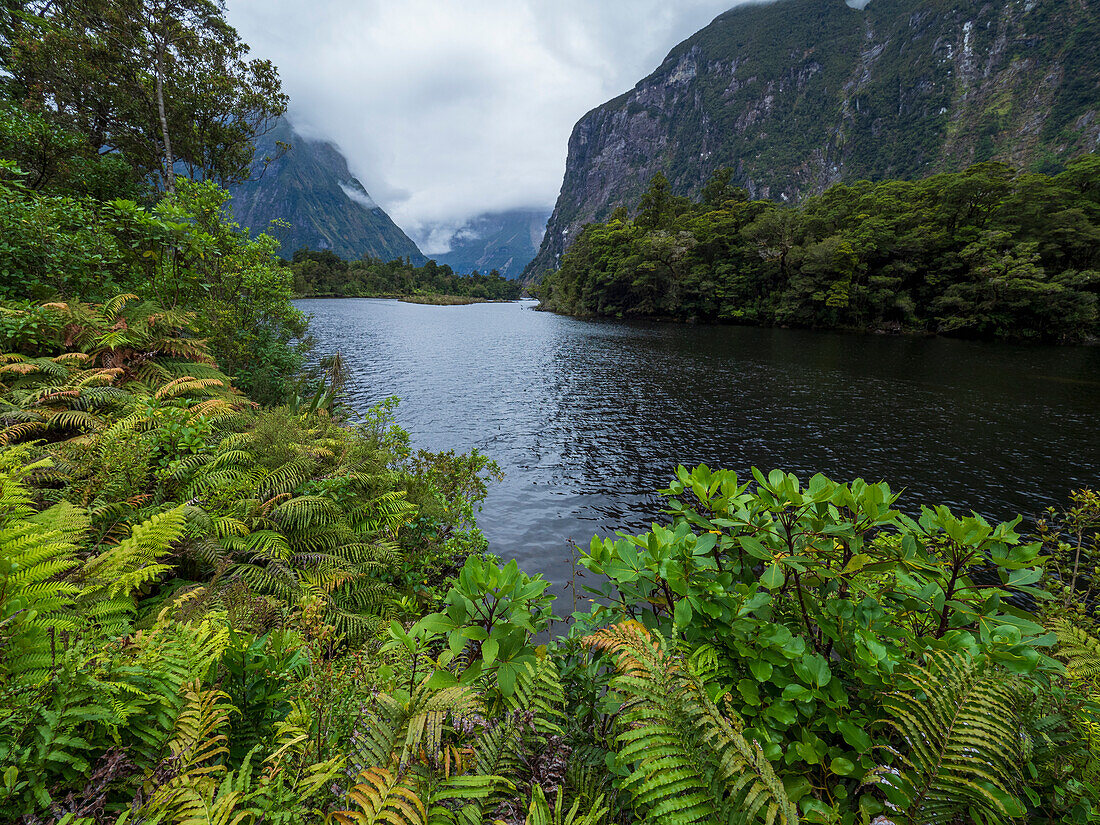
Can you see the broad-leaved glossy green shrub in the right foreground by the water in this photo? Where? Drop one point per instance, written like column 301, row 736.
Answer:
column 816, row 600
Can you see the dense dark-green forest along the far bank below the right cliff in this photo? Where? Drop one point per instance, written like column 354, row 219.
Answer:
column 987, row 252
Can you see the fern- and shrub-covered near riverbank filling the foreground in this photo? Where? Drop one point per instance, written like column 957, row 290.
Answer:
column 301, row 586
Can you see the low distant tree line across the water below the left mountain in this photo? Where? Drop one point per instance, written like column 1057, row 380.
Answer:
column 326, row 274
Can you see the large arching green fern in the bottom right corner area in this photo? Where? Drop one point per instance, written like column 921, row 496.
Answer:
column 961, row 725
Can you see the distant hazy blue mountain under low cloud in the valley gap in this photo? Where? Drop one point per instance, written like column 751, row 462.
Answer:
column 502, row 241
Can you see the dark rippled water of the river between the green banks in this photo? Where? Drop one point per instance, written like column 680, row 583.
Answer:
column 588, row 420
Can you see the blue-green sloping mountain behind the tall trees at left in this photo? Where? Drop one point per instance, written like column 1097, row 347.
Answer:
column 311, row 189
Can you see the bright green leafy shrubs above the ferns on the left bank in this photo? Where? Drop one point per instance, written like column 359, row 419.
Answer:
column 184, row 252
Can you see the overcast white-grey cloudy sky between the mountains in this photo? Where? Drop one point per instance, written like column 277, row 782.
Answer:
column 447, row 109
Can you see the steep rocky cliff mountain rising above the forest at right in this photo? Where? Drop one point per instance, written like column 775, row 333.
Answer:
column 798, row 95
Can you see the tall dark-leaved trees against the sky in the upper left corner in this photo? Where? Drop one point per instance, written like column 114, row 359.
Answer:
column 166, row 83
